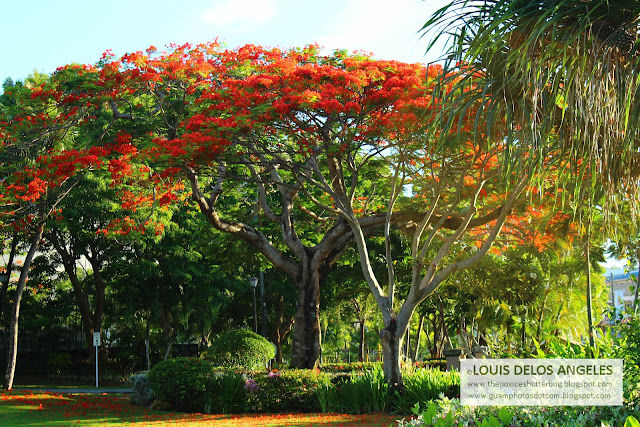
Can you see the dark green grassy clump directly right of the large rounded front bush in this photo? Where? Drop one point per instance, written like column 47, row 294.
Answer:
column 226, row 393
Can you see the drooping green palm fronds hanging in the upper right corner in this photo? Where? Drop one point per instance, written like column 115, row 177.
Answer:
column 560, row 73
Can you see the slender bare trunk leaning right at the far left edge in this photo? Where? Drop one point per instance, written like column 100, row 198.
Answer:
column 15, row 313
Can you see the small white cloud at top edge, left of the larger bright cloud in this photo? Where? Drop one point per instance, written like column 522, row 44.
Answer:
column 241, row 14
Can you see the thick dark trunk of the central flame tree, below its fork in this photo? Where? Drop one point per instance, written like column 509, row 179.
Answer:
column 306, row 327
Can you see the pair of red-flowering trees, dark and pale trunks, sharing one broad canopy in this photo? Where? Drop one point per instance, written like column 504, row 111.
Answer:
column 322, row 142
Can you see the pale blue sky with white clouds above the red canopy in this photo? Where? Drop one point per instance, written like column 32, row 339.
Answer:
column 44, row 34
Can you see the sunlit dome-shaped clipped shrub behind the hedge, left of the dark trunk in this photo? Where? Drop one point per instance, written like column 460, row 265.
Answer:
column 240, row 349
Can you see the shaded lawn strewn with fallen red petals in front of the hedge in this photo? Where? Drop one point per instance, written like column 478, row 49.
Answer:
column 24, row 408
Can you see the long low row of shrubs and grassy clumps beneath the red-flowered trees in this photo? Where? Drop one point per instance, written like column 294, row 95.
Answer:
column 195, row 385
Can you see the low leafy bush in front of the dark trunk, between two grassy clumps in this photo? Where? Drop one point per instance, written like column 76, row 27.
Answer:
column 294, row 390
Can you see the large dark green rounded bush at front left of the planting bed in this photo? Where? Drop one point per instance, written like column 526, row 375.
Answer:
column 181, row 383
